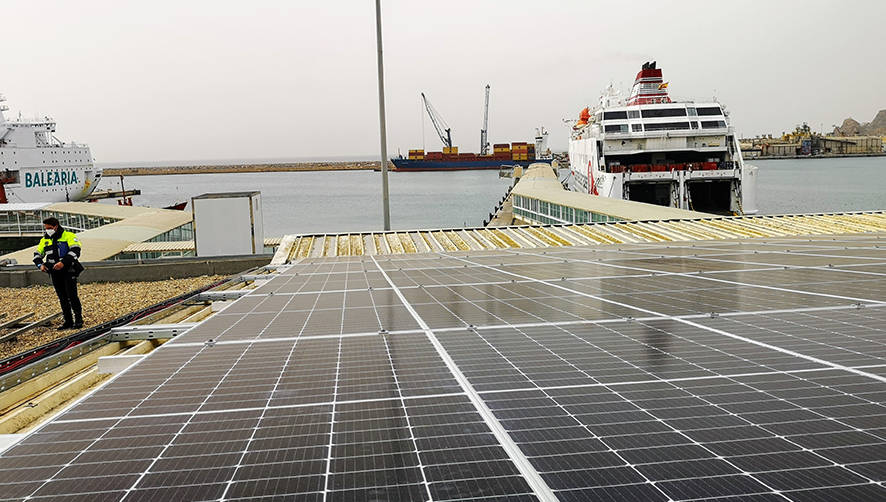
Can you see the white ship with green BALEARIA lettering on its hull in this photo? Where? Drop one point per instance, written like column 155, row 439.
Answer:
column 36, row 167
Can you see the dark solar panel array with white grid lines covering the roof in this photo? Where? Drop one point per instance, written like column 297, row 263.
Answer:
column 750, row 370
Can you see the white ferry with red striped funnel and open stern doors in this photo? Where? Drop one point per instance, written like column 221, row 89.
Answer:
column 655, row 150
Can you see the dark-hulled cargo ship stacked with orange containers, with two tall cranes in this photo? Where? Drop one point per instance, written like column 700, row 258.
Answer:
column 449, row 159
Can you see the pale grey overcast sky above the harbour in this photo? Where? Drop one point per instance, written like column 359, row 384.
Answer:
column 187, row 80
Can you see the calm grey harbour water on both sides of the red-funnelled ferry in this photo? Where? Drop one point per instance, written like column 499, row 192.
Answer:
column 345, row 201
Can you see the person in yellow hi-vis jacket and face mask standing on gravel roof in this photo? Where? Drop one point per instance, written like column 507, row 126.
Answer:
column 58, row 255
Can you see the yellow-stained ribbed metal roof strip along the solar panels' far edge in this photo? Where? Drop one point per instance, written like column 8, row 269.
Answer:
column 295, row 247
